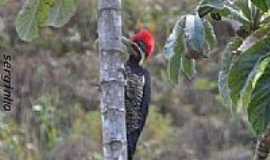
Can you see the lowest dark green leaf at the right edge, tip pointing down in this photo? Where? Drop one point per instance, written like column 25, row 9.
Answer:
column 259, row 108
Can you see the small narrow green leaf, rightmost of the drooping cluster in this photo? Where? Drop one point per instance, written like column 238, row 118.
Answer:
column 210, row 35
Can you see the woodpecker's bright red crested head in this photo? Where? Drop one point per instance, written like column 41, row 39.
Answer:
column 145, row 41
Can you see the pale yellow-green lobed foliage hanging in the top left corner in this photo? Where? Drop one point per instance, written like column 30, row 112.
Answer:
column 36, row 14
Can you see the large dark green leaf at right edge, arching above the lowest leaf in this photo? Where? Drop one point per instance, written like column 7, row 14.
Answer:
column 246, row 63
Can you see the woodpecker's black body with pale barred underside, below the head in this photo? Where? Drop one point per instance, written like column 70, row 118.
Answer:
column 137, row 99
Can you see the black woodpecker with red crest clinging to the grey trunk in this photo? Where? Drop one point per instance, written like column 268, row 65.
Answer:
column 137, row 88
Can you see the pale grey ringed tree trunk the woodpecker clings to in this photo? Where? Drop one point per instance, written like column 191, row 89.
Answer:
column 112, row 80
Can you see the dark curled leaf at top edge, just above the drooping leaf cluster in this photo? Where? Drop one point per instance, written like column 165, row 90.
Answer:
column 208, row 6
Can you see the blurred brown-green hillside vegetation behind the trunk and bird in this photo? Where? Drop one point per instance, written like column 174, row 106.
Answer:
column 56, row 115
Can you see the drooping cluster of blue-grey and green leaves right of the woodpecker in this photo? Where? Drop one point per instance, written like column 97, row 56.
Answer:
column 187, row 43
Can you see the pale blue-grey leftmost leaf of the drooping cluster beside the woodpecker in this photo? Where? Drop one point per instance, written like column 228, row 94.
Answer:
column 173, row 40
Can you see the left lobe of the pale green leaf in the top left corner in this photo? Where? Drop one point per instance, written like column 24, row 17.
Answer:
column 31, row 17
